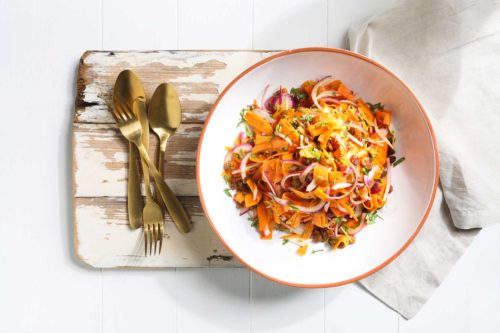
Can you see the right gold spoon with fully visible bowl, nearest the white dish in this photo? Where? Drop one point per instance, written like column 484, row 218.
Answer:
column 164, row 118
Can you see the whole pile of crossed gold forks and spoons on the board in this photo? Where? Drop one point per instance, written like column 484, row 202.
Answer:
column 134, row 119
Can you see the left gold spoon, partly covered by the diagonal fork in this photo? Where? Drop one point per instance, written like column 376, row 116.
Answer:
column 127, row 89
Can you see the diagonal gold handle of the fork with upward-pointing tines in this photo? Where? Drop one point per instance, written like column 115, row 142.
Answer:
column 174, row 207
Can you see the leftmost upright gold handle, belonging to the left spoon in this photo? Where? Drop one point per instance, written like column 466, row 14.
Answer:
column 134, row 201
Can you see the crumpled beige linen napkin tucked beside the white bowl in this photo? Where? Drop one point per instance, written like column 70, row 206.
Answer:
column 448, row 52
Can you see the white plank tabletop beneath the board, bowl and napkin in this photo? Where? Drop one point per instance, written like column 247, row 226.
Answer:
column 43, row 288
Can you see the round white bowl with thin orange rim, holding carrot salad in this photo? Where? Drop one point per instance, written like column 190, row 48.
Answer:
column 414, row 181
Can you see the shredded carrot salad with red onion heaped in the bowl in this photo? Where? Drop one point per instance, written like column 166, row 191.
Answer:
column 315, row 161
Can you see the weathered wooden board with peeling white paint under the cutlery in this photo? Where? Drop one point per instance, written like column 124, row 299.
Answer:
column 103, row 237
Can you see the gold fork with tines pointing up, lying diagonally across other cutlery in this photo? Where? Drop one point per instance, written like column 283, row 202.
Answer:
column 130, row 127
